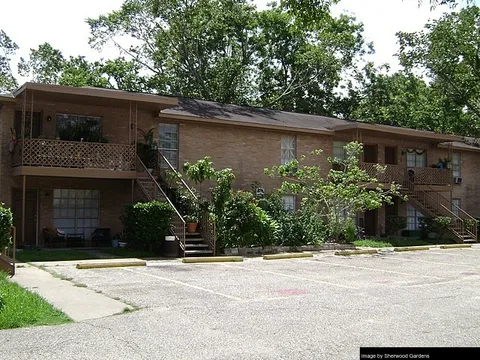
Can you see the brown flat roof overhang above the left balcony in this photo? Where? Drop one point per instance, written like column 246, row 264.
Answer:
column 99, row 96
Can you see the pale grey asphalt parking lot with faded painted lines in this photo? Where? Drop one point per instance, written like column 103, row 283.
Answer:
column 325, row 307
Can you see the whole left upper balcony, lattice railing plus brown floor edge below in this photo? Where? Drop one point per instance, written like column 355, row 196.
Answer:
column 45, row 157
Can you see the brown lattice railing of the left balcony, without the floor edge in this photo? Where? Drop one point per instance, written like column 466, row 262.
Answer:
column 74, row 154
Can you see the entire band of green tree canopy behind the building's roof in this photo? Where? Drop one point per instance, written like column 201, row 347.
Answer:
column 293, row 56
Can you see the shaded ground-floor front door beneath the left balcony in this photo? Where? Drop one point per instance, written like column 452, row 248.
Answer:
column 30, row 216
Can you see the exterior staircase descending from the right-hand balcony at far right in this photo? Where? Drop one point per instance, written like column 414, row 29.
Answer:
column 430, row 202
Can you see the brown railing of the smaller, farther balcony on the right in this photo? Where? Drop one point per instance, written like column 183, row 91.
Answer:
column 419, row 176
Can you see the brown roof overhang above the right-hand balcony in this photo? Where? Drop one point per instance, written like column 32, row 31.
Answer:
column 397, row 131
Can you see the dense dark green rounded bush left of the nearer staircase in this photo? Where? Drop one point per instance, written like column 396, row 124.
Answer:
column 147, row 224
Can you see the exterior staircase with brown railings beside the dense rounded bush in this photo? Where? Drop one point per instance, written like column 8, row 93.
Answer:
column 191, row 244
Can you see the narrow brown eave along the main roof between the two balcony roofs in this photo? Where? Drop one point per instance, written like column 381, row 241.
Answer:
column 218, row 121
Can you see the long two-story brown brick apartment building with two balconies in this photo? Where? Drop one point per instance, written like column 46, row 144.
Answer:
column 68, row 156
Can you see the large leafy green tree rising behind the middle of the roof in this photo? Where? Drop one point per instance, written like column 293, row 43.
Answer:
column 227, row 51
